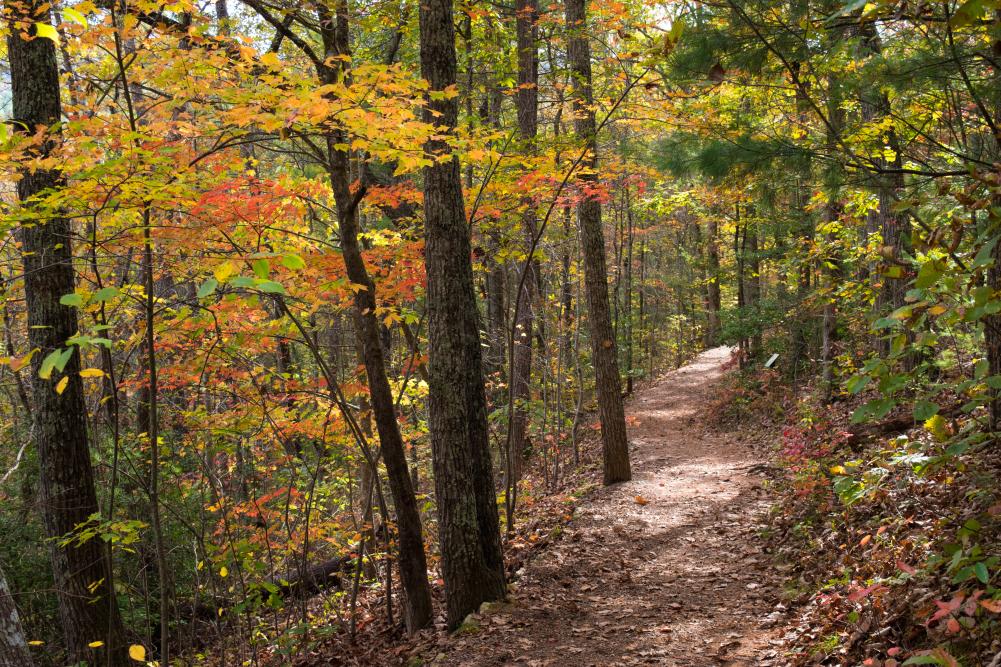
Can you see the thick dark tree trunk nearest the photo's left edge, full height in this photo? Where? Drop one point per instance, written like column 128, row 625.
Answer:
column 83, row 571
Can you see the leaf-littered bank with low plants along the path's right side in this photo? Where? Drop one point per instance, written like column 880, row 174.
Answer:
column 888, row 533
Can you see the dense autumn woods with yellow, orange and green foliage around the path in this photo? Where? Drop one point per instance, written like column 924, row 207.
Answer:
column 296, row 294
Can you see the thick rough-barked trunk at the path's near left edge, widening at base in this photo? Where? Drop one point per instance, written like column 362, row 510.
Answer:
column 469, row 526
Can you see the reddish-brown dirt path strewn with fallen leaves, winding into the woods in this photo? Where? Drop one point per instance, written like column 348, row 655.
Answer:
column 663, row 570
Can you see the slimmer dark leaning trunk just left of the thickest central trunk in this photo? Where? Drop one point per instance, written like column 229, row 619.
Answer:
column 413, row 563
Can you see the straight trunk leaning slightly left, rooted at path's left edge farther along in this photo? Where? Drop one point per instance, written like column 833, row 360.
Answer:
column 615, row 448
